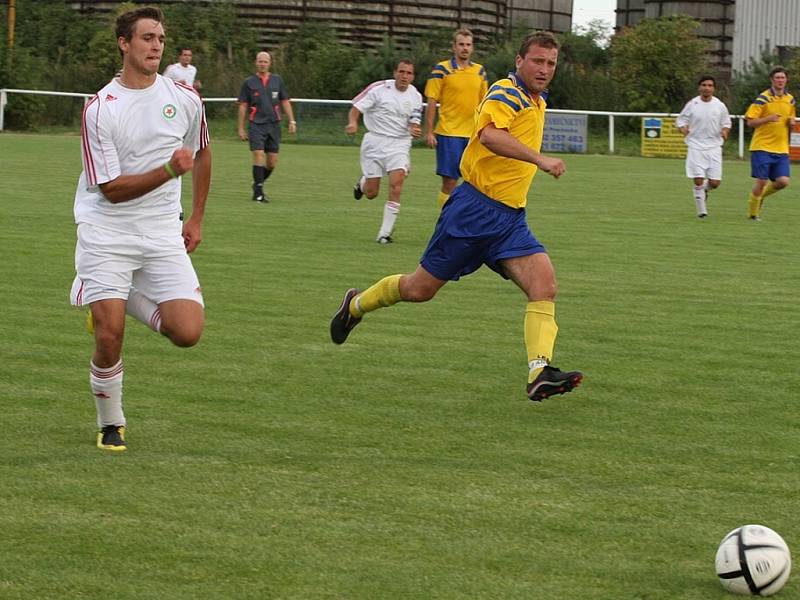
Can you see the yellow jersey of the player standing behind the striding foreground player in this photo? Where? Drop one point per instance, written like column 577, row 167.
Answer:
column 458, row 90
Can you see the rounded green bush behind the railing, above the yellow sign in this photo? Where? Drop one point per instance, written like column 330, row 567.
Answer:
column 656, row 63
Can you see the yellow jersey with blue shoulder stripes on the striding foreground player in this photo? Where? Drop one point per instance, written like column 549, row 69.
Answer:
column 508, row 105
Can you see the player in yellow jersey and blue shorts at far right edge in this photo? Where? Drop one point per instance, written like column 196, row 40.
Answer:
column 772, row 114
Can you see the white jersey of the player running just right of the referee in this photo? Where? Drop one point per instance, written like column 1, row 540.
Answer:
column 388, row 111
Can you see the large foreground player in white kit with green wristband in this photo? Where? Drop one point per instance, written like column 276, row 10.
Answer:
column 140, row 133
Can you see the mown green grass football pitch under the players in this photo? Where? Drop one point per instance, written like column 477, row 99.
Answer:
column 268, row 463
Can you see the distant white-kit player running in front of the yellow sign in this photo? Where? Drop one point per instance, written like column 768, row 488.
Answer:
column 705, row 124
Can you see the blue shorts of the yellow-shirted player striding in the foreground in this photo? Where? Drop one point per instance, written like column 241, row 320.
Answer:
column 474, row 230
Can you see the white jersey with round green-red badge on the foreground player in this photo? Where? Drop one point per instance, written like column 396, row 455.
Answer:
column 131, row 131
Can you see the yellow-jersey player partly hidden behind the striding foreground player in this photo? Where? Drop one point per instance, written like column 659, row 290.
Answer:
column 458, row 85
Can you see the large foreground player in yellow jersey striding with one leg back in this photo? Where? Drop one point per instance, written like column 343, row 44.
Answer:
column 484, row 220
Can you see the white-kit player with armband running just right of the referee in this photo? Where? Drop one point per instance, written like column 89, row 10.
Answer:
column 392, row 110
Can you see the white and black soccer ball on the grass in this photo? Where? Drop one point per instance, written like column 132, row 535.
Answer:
column 753, row 560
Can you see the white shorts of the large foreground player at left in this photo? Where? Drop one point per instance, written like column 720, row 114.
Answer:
column 108, row 263
